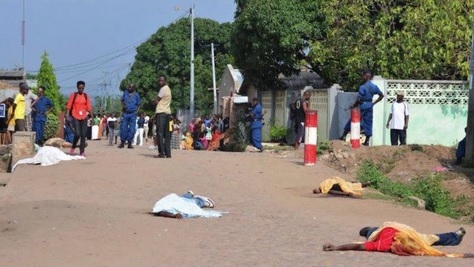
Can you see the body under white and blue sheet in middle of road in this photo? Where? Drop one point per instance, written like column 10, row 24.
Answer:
column 187, row 205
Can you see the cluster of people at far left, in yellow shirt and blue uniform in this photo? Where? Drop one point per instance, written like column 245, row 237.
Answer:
column 27, row 112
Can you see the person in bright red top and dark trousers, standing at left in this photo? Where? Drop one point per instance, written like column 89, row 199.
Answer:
column 78, row 109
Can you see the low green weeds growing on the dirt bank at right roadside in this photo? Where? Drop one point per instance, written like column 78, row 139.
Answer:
column 429, row 188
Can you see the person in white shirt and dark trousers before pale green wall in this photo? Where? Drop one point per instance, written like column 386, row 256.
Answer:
column 398, row 121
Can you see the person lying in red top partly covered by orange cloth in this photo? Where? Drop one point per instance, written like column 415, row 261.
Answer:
column 403, row 240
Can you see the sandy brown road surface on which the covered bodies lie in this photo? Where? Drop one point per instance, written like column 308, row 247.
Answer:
column 95, row 212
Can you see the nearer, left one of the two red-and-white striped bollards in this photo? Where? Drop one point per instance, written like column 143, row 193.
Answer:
column 310, row 137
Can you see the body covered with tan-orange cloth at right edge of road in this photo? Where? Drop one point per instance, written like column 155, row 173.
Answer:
column 339, row 186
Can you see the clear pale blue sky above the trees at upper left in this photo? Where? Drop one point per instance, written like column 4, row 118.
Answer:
column 91, row 40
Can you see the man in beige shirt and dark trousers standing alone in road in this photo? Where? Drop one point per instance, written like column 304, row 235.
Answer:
column 162, row 118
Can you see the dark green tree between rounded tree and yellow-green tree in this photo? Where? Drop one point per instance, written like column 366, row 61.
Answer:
column 269, row 39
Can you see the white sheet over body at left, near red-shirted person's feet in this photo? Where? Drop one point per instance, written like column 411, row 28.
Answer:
column 47, row 156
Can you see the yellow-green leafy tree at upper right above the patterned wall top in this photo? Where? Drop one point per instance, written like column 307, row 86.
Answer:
column 419, row 39
